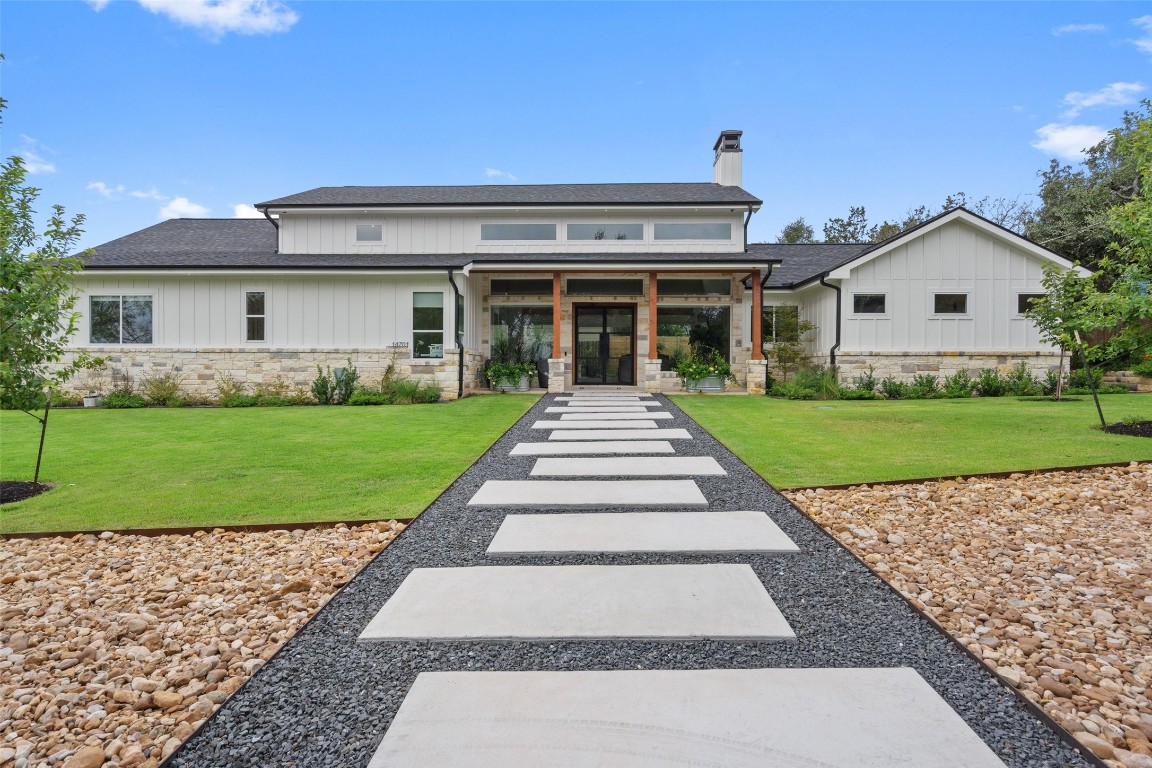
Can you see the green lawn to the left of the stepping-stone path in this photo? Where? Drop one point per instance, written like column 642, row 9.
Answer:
column 175, row 468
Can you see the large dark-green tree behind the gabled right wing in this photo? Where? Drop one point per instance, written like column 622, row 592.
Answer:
column 1074, row 219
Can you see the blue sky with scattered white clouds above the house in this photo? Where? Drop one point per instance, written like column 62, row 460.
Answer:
column 133, row 111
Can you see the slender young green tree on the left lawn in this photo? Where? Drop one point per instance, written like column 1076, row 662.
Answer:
column 37, row 303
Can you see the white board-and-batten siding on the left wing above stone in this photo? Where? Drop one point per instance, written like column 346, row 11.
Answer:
column 302, row 313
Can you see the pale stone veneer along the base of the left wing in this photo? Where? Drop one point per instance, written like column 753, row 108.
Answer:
column 202, row 369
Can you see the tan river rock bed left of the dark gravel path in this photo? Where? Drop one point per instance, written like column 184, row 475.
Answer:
column 115, row 649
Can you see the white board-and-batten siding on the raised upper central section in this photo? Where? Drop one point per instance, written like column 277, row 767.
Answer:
column 429, row 233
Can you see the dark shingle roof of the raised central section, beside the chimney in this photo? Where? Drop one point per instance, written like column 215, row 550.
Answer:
column 527, row 195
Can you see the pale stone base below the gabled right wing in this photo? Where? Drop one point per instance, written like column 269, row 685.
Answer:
column 905, row 367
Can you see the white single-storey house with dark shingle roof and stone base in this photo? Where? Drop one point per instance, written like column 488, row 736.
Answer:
column 616, row 279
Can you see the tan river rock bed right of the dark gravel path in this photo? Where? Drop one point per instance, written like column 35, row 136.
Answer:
column 1047, row 577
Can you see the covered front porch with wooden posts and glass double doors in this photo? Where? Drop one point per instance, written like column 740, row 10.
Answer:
column 626, row 329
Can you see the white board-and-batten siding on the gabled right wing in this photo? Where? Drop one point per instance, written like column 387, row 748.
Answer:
column 951, row 260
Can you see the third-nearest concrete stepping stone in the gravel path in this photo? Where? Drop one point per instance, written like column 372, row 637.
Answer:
column 742, row 533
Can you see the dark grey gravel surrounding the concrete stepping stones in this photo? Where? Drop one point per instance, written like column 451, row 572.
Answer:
column 327, row 701
